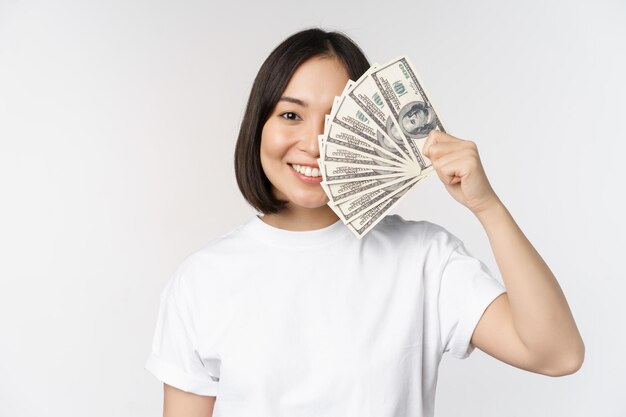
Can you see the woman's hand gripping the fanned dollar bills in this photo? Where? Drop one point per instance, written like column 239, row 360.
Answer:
column 458, row 165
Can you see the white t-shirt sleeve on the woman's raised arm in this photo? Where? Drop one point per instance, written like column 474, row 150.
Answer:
column 466, row 290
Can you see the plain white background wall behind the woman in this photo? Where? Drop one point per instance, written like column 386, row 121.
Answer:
column 118, row 122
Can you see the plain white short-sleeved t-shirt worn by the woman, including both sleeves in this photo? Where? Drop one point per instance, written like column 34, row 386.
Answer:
column 277, row 323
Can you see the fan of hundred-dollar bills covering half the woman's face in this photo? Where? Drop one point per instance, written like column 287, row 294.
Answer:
column 370, row 152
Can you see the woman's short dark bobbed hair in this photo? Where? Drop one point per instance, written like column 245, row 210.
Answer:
column 268, row 86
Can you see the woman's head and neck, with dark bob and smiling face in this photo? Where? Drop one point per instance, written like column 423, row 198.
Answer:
column 277, row 141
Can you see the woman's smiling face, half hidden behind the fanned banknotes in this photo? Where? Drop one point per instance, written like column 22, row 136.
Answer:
column 289, row 136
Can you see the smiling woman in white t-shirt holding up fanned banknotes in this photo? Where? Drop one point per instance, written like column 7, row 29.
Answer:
column 289, row 314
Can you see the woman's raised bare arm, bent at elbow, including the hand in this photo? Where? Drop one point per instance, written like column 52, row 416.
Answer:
column 530, row 326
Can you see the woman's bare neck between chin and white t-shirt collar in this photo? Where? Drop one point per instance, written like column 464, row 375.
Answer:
column 298, row 219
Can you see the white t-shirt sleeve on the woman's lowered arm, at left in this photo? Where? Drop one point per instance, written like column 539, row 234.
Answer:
column 174, row 358
